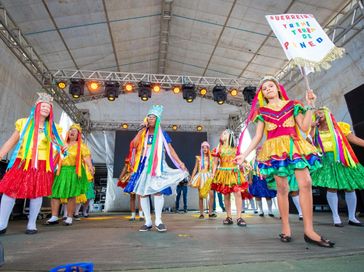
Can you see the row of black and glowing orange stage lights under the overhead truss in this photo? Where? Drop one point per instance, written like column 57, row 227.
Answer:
column 189, row 91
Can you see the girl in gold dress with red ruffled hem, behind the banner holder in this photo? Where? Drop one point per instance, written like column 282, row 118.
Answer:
column 228, row 178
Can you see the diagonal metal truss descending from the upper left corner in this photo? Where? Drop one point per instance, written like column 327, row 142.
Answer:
column 21, row 48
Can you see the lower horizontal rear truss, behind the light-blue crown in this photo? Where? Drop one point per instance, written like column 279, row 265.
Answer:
column 104, row 126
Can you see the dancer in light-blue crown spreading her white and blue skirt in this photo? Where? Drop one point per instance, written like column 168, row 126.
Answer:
column 151, row 174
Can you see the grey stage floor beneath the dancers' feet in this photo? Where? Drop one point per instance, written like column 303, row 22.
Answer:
column 113, row 243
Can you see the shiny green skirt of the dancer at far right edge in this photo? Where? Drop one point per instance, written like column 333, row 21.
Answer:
column 335, row 175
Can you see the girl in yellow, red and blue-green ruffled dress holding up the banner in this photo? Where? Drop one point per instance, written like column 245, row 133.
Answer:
column 285, row 152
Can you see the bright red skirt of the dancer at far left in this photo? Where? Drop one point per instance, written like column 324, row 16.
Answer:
column 31, row 183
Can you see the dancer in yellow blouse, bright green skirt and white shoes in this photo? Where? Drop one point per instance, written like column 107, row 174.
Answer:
column 71, row 179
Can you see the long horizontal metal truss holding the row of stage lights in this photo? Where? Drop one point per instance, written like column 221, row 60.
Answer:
column 166, row 82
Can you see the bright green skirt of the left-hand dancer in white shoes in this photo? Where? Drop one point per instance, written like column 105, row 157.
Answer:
column 67, row 184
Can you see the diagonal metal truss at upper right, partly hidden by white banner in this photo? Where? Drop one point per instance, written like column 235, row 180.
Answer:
column 341, row 29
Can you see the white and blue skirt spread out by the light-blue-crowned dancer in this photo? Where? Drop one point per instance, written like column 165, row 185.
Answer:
column 144, row 184
